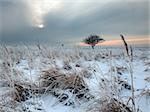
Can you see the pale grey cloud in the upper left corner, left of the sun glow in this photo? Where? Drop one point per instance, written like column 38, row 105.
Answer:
column 15, row 14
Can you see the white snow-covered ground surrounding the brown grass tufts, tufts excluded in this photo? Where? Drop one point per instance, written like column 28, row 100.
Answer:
column 105, row 71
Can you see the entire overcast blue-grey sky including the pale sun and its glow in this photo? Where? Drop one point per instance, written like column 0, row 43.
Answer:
column 69, row 21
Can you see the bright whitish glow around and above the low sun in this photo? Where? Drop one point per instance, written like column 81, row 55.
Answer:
column 42, row 7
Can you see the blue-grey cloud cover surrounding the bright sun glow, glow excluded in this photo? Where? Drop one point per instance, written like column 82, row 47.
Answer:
column 75, row 21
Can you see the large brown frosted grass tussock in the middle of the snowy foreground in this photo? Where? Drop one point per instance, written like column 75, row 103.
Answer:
column 54, row 81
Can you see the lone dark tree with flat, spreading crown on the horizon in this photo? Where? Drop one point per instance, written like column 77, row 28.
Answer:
column 93, row 40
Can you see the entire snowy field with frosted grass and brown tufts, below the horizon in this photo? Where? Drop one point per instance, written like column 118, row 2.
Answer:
column 43, row 79
